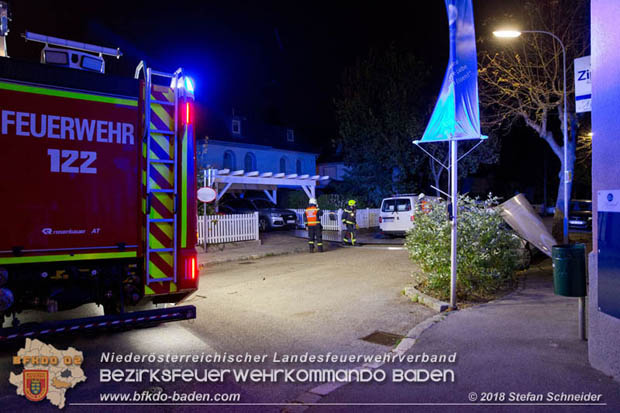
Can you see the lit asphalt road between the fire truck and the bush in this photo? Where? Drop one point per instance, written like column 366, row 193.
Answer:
column 289, row 305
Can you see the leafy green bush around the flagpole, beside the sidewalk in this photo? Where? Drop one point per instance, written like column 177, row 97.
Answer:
column 487, row 251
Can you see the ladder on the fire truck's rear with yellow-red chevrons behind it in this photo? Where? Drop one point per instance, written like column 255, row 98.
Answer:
column 161, row 118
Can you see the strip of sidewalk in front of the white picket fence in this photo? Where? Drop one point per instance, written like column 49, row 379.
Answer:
column 272, row 243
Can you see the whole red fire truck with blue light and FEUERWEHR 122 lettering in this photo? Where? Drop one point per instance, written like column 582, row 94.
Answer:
column 97, row 189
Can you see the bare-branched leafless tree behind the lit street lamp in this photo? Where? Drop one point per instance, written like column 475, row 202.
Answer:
column 522, row 79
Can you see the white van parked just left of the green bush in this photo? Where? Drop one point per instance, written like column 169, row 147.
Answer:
column 397, row 213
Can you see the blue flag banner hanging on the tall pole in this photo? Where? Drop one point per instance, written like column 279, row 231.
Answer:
column 456, row 115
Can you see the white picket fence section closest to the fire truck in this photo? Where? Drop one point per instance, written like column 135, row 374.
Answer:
column 218, row 229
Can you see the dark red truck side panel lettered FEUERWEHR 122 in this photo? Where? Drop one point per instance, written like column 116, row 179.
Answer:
column 70, row 155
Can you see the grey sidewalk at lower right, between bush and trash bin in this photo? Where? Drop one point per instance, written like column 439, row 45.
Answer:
column 524, row 342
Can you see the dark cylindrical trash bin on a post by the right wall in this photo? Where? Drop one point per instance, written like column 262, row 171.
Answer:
column 569, row 270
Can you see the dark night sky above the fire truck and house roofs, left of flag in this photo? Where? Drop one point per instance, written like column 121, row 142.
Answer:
column 249, row 55
